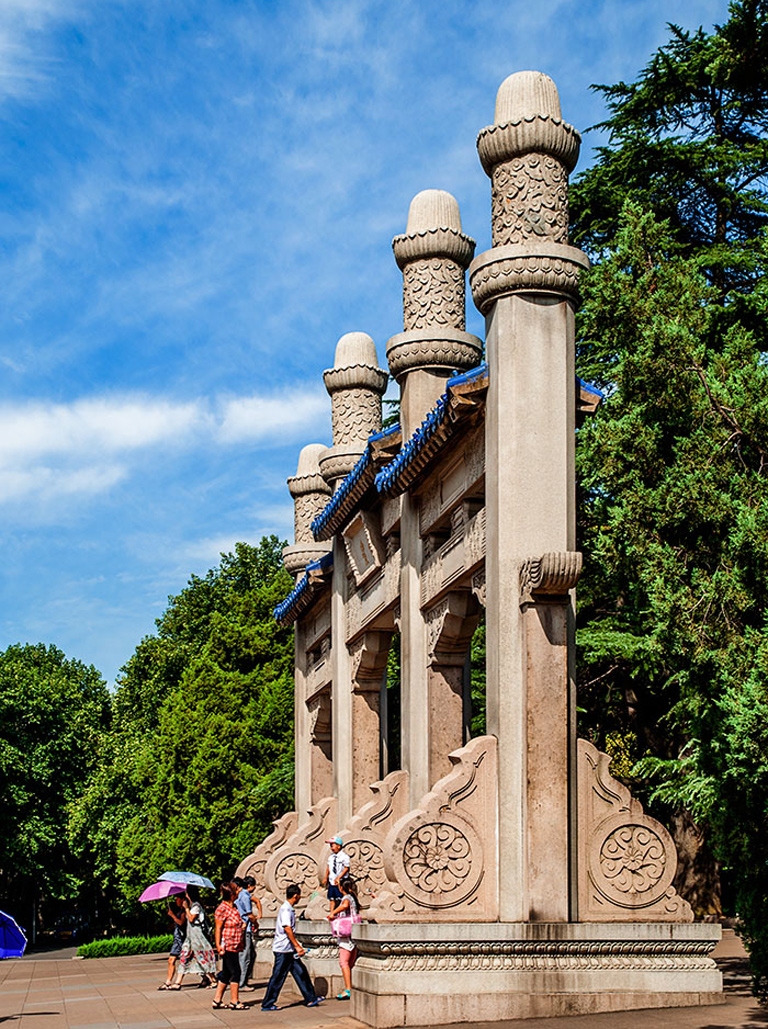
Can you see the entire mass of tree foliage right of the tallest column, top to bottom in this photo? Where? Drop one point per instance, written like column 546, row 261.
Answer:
column 673, row 625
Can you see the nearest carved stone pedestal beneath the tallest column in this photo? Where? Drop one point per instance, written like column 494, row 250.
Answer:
column 440, row 975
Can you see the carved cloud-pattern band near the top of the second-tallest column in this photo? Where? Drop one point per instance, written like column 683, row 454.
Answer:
column 433, row 294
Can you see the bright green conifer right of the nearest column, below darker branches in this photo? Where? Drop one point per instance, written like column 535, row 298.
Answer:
column 674, row 522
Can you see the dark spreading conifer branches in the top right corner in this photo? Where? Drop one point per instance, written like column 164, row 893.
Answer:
column 688, row 141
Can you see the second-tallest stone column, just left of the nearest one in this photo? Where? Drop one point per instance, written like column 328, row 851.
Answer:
column 433, row 255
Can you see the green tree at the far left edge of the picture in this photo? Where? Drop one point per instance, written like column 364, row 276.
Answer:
column 53, row 715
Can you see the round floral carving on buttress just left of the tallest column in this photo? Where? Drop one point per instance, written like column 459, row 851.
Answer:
column 437, row 858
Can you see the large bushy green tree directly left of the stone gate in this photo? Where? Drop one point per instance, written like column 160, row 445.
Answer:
column 200, row 761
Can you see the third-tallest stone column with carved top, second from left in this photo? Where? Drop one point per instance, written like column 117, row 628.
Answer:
column 356, row 385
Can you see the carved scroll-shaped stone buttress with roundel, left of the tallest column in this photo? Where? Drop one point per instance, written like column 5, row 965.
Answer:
column 434, row 857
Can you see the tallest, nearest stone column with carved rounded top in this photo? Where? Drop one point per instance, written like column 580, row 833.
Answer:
column 527, row 288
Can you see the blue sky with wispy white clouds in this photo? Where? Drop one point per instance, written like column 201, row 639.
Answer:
column 197, row 200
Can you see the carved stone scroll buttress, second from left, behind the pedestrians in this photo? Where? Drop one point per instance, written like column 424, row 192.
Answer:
column 298, row 861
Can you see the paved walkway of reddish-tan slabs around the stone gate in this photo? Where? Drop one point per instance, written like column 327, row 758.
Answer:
column 56, row 992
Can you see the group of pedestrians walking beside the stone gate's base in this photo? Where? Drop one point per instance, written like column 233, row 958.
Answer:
column 236, row 930
